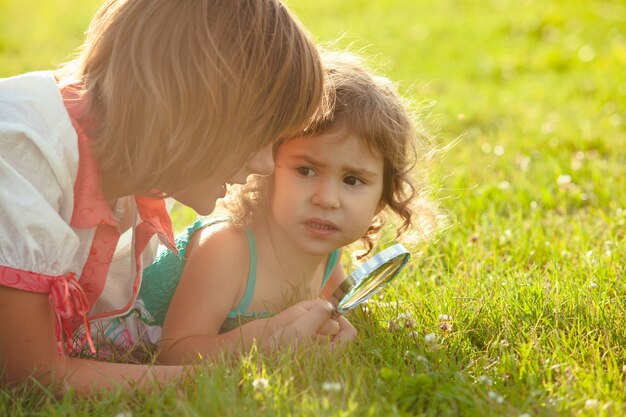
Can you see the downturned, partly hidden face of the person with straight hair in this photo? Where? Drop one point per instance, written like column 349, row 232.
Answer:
column 201, row 197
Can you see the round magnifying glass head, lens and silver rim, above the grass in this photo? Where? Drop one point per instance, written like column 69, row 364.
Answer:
column 369, row 278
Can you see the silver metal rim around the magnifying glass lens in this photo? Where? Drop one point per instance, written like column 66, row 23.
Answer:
column 377, row 261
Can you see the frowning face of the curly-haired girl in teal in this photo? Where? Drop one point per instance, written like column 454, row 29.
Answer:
column 327, row 189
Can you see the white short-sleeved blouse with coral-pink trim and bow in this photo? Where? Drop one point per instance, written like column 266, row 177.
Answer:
column 58, row 235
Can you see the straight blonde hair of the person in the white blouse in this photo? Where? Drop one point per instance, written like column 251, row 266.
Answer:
column 176, row 88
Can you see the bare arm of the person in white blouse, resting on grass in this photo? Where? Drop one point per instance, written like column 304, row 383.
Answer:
column 28, row 348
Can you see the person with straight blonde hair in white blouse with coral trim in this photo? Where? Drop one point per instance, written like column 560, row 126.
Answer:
column 166, row 98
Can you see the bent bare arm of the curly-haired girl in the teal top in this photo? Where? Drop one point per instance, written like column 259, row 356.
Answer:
column 213, row 281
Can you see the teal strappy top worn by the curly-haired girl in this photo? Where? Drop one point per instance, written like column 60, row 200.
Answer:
column 161, row 278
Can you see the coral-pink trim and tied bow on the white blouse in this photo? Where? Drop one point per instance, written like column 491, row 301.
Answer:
column 72, row 299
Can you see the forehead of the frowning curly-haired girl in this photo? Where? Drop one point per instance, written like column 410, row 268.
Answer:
column 335, row 147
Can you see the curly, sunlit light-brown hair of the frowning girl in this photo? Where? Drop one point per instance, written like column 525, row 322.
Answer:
column 370, row 107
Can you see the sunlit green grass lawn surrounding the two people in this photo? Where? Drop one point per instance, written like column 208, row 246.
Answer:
column 530, row 269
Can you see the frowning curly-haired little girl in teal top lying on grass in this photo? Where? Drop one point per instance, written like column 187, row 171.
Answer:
column 282, row 236
